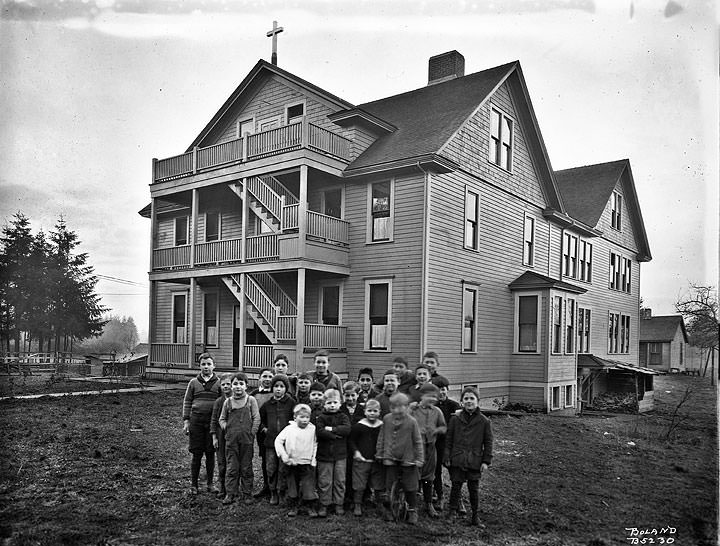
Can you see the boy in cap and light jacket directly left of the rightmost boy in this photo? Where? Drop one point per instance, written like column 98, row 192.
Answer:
column 431, row 422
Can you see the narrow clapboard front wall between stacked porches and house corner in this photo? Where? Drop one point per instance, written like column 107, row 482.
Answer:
column 400, row 259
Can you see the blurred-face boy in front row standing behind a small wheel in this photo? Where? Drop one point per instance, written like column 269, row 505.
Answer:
column 400, row 448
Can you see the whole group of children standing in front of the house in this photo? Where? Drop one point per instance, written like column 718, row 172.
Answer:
column 325, row 444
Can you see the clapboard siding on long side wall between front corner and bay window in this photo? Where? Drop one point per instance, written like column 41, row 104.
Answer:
column 497, row 263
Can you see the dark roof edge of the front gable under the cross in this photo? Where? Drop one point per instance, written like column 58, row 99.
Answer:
column 251, row 82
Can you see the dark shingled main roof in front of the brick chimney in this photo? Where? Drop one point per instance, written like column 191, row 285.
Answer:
column 427, row 119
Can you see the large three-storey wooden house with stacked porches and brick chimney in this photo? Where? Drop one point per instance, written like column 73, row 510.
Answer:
column 429, row 220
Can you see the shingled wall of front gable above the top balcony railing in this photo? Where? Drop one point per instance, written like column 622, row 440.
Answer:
column 270, row 101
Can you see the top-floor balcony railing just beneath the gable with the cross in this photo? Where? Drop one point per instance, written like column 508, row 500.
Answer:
column 275, row 141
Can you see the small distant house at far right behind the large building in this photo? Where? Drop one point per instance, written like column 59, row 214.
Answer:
column 663, row 342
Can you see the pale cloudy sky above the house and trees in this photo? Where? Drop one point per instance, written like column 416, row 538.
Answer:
column 91, row 93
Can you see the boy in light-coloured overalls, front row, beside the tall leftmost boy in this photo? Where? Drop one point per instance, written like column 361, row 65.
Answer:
column 240, row 420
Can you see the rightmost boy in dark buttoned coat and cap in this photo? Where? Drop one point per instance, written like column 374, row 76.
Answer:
column 468, row 450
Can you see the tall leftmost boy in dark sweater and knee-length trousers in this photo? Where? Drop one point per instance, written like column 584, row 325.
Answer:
column 200, row 396
